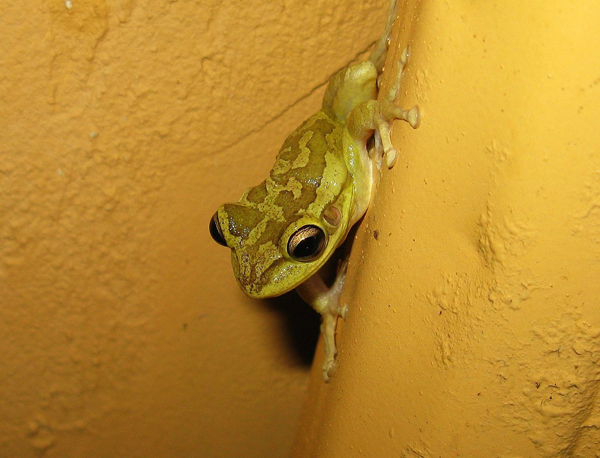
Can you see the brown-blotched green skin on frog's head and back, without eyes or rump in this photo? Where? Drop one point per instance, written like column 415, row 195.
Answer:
column 310, row 174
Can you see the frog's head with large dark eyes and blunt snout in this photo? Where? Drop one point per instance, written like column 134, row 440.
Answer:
column 273, row 255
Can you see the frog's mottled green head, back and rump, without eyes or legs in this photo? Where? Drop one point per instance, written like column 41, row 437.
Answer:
column 323, row 165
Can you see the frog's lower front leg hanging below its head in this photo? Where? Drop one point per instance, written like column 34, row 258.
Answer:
column 326, row 301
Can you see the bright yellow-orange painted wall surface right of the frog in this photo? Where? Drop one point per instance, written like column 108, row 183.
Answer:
column 474, row 321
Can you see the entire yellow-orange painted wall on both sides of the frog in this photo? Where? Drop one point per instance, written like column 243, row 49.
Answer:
column 474, row 325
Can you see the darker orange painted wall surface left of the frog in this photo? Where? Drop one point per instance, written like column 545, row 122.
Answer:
column 123, row 126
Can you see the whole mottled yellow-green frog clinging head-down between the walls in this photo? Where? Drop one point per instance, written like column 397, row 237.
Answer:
column 283, row 231
